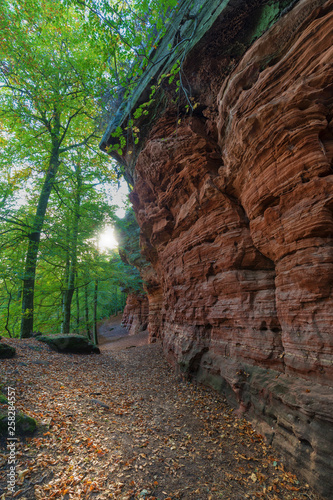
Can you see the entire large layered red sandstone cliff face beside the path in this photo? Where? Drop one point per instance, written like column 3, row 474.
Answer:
column 235, row 206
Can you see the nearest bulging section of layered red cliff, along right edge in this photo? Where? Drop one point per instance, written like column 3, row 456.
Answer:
column 276, row 142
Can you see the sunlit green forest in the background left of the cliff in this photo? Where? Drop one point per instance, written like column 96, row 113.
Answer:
column 64, row 68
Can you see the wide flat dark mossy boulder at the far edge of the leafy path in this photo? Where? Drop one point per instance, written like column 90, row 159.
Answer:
column 75, row 344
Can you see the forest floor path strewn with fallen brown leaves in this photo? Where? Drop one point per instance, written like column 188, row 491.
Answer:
column 123, row 425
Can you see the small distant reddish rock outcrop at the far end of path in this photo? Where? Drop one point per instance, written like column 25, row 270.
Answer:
column 135, row 316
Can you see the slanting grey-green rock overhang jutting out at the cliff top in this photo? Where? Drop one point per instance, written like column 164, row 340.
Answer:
column 195, row 25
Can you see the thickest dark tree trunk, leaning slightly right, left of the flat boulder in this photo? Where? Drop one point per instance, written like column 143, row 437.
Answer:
column 33, row 246
